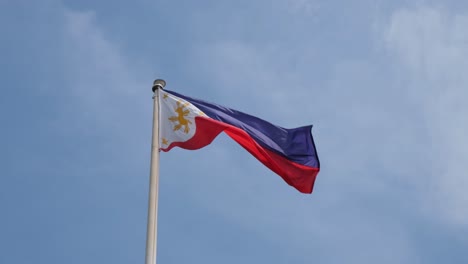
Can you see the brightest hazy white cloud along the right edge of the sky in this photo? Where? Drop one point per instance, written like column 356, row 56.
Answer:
column 432, row 47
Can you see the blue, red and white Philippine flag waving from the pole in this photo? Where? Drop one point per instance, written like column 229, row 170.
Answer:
column 191, row 124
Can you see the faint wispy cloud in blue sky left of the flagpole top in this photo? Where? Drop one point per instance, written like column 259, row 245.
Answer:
column 100, row 77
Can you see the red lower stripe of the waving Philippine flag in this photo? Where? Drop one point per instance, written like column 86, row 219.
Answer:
column 297, row 175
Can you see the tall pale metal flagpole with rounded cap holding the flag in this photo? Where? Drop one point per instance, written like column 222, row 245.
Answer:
column 152, row 228
